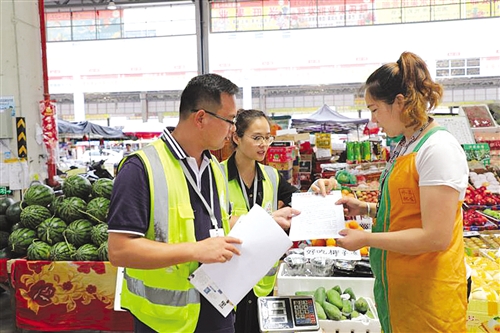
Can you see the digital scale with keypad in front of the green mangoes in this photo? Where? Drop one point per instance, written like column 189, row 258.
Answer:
column 287, row 314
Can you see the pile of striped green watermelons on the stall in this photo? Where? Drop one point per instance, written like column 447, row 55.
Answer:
column 69, row 226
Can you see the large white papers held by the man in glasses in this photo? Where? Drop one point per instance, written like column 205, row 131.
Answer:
column 263, row 244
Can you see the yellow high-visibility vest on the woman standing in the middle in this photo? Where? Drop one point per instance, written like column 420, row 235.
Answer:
column 239, row 208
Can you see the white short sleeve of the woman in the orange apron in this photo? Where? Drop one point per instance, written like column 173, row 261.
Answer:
column 442, row 161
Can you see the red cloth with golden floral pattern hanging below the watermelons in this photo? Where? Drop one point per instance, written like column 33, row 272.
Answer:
column 67, row 295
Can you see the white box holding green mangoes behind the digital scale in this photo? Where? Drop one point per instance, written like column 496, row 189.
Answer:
column 288, row 285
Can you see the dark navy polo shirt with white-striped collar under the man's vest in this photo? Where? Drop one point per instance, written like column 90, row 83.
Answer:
column 129, row 213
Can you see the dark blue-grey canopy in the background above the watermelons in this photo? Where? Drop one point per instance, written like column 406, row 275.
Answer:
column 87, row 128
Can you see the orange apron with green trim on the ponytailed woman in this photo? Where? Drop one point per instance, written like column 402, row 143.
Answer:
column 416, row 293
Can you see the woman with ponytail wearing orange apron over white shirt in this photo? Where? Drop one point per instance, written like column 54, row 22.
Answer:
column 417, row 253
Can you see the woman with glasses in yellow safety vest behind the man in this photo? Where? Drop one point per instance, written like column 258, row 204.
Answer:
column 250, row 183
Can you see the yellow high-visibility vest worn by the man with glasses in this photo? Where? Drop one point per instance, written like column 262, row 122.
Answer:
column 163, row 298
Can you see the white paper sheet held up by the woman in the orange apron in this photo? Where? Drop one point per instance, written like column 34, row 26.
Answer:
column 319, row 217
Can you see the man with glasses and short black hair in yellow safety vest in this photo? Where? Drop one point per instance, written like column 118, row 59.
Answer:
column 169, row 212
